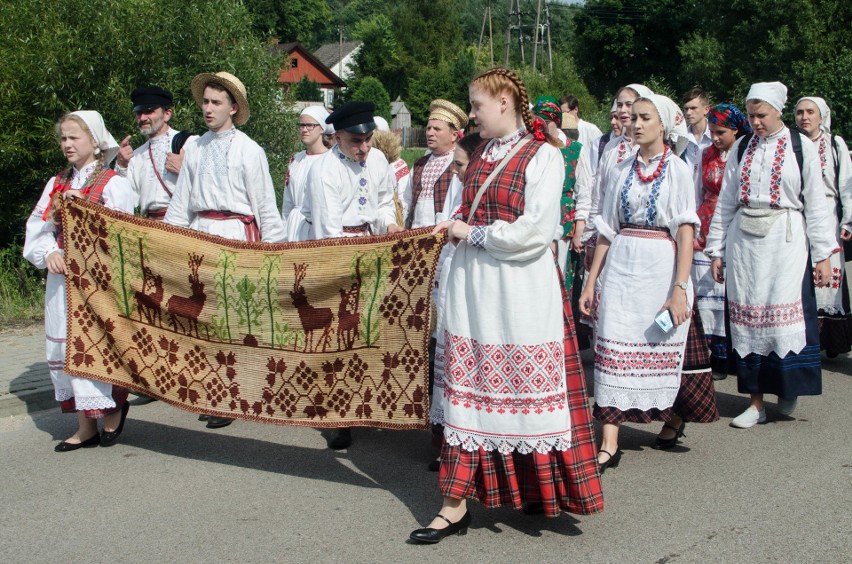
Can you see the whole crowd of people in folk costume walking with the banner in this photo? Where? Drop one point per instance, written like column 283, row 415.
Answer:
column 694, row 243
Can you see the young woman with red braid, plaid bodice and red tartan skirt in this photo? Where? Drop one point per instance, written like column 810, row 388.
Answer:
column 517, row 426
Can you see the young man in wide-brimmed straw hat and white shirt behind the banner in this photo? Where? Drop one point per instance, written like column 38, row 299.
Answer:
column 225, row 188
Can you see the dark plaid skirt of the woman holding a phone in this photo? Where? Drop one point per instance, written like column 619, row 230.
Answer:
column 696, row 397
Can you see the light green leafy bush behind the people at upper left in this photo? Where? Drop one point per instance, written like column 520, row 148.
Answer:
column 53, row 64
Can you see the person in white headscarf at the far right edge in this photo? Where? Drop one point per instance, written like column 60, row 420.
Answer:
column 814, row 118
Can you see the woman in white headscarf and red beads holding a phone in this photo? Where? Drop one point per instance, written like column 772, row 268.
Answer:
column 643, row 257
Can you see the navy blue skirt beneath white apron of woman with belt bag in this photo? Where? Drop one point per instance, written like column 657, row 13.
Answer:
column 797, row 374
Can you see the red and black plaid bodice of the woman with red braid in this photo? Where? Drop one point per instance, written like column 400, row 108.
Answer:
column 504, row 198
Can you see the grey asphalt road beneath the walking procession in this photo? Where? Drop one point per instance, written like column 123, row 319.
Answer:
column 173, row 491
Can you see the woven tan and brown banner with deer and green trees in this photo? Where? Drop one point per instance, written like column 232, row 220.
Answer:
column 325, row 334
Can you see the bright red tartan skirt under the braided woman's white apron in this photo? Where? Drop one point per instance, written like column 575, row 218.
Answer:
column 561, row 480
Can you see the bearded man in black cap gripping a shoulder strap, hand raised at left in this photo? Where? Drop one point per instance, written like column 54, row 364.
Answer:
column 152, row 169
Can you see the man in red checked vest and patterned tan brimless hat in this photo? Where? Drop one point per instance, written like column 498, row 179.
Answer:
column 428, row 188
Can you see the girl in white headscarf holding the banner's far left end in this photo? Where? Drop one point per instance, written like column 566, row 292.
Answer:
column 89, row 148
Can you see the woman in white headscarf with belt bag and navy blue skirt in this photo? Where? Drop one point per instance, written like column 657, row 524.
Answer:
column 769, row 218
